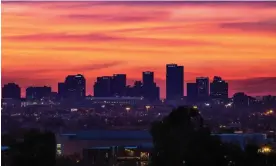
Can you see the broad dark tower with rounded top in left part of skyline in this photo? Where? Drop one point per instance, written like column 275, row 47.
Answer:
column 75, row 86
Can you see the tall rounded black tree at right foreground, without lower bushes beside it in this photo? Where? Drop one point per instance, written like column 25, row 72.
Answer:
column 181, row 138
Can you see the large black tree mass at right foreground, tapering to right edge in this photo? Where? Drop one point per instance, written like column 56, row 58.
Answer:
column 182, row 138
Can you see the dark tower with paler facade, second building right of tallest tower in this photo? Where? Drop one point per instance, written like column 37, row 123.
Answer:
column 202, row 88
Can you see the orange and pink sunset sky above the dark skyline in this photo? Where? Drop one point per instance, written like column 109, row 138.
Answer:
column 42, row 42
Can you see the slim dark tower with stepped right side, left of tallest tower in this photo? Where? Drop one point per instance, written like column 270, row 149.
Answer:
column 150, row 89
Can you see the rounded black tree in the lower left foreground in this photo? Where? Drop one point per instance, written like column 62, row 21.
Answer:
column 35, row 148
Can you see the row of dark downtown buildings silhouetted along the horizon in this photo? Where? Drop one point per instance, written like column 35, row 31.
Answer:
column 74, row 87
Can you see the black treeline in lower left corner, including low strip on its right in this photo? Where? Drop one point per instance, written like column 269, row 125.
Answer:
column 33, row 148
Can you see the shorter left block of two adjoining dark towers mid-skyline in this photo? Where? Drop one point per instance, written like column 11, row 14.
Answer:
column 102, row 87
